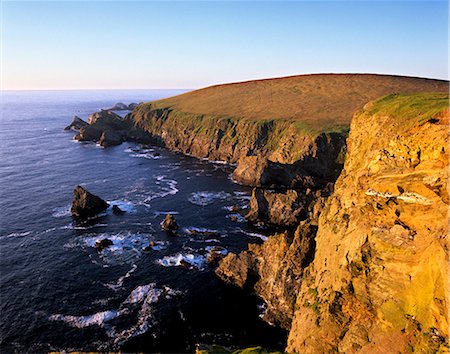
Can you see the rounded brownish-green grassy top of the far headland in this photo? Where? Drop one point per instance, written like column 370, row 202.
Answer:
column 319, row 101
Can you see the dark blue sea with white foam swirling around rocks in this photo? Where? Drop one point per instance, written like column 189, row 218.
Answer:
column 150, row 291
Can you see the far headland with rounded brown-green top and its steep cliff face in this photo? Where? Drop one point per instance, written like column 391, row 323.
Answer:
column 298, row 124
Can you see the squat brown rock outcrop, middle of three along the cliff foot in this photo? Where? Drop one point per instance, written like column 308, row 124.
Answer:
column 276, row 208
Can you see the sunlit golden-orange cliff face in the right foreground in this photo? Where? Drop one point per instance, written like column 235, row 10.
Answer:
column 379, row 279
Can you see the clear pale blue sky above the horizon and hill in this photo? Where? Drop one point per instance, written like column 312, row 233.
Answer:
column 106, row 44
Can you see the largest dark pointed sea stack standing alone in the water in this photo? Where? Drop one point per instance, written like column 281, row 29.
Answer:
column 86, row 204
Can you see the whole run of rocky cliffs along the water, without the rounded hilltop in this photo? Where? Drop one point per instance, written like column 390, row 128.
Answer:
column 320, row 274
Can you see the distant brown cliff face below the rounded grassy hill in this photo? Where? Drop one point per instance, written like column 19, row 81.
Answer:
column 226, row 138
